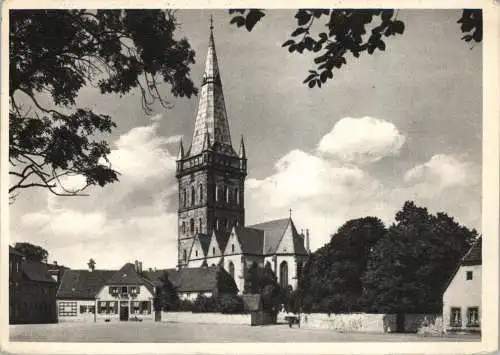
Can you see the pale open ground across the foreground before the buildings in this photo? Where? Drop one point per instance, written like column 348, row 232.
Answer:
column 150, row 332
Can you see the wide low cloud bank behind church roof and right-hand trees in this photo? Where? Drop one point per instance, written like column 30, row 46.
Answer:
column 324, row 193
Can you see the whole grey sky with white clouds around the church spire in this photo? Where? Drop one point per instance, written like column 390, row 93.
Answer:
column 403, row 124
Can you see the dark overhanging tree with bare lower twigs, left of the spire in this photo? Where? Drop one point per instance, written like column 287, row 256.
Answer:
column 53, row 54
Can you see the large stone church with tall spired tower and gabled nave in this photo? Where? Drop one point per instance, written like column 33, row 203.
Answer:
column 211, row 214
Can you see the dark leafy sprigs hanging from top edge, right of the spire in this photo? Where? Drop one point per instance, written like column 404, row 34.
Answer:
column 346, row 34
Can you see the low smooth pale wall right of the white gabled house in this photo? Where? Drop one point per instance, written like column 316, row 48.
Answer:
column 205, row 318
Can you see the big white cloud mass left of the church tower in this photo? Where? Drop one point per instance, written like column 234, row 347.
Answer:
column 131, row 219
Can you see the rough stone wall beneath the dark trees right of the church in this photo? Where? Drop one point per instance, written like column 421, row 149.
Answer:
column 346, row 323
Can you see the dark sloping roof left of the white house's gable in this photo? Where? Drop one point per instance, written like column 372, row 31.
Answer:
column 83, row 284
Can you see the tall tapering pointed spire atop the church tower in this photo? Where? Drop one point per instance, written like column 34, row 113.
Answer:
column 211, row 117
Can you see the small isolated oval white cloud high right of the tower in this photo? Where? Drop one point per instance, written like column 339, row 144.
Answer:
column 361, row 140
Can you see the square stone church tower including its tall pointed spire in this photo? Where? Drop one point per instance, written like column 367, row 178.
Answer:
column 210, row 174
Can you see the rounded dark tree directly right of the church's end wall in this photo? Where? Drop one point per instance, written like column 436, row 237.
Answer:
column 331, row 280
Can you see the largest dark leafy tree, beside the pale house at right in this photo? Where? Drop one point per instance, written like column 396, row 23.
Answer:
column 410, row 266
